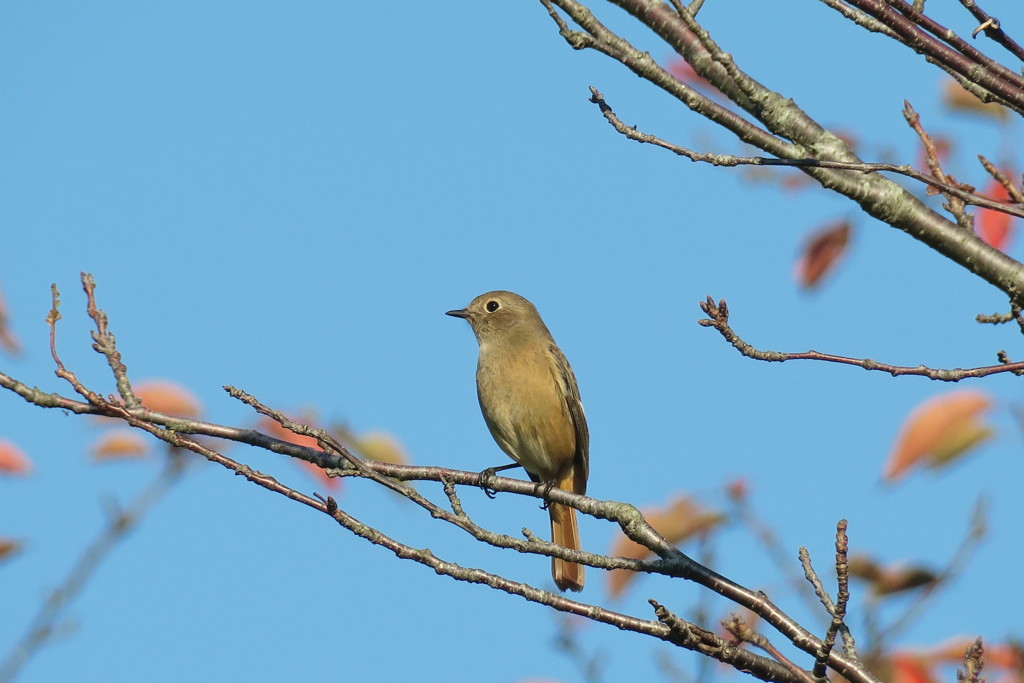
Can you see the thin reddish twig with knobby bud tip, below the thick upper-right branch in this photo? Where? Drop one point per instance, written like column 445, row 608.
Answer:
column 720, row 321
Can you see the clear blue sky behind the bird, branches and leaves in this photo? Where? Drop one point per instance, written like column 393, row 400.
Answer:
column 287, row 197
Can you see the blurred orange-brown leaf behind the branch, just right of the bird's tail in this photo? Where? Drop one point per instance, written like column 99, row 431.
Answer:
column 677, row 522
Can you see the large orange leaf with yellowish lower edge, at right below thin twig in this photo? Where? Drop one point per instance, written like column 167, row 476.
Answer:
column 941, row 430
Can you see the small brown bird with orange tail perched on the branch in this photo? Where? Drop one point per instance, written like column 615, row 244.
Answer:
column 531, row 403
